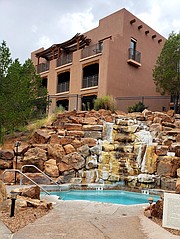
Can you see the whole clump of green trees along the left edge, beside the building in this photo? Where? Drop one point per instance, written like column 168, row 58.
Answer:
column 22, row 95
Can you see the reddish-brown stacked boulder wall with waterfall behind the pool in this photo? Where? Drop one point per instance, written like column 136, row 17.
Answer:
column 140, row 149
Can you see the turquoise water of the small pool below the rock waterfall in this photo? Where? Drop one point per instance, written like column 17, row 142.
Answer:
column 108, row 196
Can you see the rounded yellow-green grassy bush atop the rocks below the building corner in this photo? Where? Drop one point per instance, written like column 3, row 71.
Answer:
column 106, row 102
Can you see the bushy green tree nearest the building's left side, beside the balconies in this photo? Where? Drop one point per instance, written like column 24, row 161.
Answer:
column 26, row 96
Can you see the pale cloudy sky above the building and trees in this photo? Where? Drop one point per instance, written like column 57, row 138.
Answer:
column 27, row 25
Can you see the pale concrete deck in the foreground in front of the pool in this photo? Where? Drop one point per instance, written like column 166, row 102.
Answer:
column 90, row 220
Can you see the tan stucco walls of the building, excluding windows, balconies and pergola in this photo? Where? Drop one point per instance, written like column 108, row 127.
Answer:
column 116, row 76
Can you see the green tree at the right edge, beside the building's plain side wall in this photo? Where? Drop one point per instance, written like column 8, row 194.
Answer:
column 167, row 69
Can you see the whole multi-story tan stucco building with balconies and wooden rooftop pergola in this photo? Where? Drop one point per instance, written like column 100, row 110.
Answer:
column 116, row 58
